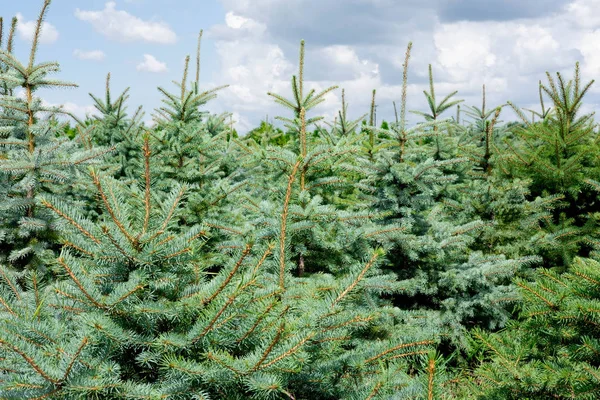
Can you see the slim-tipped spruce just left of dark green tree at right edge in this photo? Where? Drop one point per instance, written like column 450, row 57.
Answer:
column 514, row 222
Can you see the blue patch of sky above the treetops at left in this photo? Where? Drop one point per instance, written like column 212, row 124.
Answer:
column 87, row 54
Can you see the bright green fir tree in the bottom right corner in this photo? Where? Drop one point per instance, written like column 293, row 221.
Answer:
column 551, row 352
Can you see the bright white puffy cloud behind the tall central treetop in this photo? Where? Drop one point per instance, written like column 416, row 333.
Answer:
column 252, row 66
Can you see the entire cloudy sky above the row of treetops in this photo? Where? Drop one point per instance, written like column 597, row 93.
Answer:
column 359, row 45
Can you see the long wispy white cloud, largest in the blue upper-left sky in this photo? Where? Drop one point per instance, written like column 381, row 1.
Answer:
column 121, row 26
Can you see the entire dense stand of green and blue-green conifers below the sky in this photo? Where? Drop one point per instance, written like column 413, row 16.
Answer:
column 317, row 259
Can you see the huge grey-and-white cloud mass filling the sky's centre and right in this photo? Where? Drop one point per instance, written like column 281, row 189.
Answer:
column 508, row 46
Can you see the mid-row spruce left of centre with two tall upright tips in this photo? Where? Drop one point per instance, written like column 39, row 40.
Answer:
column 197, row 148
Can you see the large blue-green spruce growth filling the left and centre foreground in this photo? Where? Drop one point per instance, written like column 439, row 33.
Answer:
column 137, row 314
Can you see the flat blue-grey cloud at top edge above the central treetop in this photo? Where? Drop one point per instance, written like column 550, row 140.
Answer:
column 327, row 22
